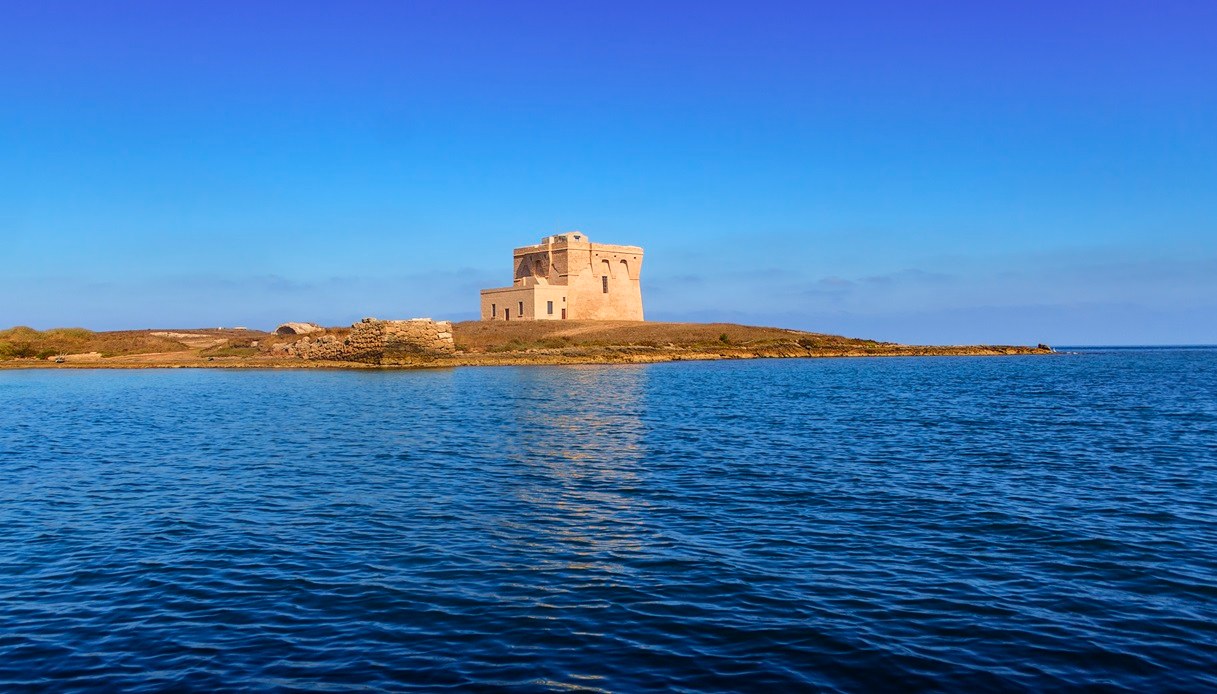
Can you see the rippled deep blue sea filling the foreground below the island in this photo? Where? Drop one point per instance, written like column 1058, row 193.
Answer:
column 888, row 524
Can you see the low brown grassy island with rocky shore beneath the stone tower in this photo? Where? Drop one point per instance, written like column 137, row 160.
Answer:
column 371, row 345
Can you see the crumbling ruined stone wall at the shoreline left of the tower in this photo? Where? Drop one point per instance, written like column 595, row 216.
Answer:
column 375, row 342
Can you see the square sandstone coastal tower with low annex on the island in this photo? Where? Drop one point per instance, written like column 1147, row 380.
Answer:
column 568, row 277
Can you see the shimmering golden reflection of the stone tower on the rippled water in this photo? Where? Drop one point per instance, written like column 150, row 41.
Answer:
column 581, row 430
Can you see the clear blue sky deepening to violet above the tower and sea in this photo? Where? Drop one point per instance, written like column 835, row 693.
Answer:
column 929, row 172
